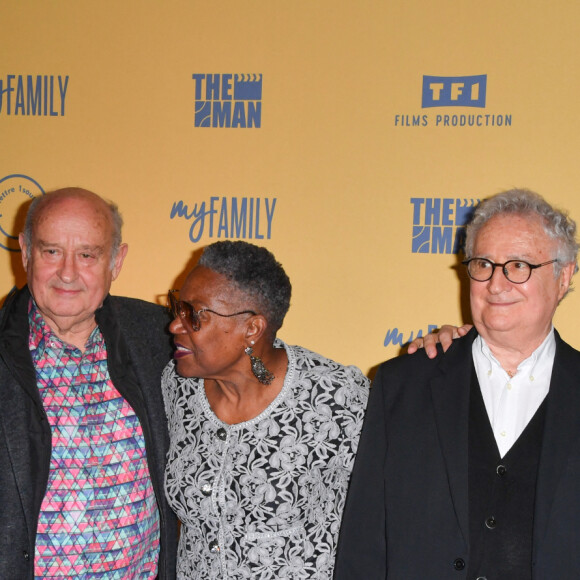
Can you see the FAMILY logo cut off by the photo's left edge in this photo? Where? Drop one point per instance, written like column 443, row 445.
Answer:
column 33, row 95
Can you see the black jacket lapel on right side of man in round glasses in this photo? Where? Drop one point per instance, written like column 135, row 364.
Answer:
column 561, row 431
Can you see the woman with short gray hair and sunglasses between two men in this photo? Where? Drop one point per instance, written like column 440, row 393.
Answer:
column 263, row 435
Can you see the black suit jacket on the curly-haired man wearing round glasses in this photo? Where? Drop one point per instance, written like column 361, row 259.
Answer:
column 406, row 515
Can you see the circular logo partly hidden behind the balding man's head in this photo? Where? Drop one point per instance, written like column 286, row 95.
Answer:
column 15, row 190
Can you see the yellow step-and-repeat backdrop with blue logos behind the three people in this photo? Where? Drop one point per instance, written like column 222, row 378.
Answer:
column 350, row 138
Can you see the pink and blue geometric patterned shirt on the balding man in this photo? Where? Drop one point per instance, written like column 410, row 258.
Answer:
column 99, row 516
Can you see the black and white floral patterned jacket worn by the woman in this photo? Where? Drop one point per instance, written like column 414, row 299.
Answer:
column 263, row 499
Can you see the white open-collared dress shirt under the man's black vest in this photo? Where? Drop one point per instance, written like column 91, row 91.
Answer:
column 511, row 402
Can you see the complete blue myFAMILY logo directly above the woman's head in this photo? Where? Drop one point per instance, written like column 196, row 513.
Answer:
column 228, row 217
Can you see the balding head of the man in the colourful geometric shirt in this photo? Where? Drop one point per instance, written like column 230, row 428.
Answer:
column 71, row 253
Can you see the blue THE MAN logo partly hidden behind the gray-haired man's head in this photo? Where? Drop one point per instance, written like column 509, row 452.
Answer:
column 439, row 224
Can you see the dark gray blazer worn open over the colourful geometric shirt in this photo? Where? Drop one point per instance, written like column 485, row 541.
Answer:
column 138, row 348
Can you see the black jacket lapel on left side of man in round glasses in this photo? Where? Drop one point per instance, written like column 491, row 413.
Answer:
column 450, row 392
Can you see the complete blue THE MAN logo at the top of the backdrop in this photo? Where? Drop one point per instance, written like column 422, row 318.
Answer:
column 226, row 100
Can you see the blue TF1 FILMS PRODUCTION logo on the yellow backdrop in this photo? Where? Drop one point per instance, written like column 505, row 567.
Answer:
column 468, row 92
